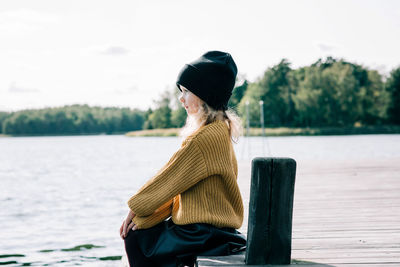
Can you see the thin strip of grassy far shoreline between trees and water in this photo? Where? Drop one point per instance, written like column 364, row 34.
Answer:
column 279, row 131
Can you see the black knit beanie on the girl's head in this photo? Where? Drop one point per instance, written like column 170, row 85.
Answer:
column 211, row 77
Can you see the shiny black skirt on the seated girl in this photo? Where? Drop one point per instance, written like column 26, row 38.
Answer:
column 168, row 244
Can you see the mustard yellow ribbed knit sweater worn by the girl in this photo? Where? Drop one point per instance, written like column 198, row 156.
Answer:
column 197, row 185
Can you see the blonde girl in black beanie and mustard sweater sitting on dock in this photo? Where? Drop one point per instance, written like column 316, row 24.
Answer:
column 193, row 205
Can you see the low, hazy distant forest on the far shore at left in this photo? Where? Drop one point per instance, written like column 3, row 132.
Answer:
column 71, row 120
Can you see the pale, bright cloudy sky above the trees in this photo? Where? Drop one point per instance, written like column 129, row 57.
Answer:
column 127, row 53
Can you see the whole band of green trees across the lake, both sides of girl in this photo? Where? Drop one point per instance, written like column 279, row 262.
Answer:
column 330, row 92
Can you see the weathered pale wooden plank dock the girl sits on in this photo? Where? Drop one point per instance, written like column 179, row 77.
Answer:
column 345, row 213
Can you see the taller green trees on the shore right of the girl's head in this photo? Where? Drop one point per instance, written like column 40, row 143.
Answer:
column 327, row 93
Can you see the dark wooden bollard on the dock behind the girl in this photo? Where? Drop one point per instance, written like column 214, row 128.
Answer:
column 269, row 232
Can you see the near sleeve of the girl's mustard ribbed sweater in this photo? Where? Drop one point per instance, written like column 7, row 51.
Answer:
column 186, row 168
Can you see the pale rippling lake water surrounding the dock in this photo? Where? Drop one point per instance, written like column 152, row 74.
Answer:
column 62, row 199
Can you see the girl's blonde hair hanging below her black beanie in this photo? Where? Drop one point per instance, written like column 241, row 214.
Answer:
column 206, row 115
